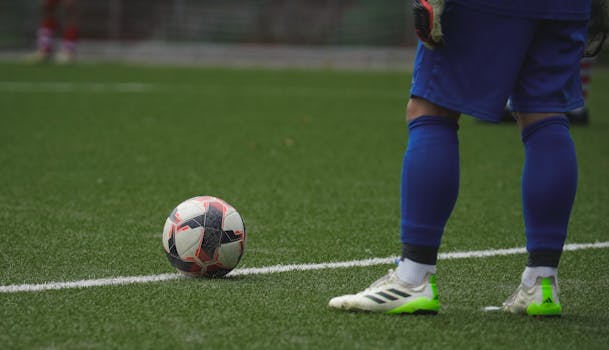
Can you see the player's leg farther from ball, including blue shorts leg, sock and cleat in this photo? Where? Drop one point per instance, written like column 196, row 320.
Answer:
column 549, row 180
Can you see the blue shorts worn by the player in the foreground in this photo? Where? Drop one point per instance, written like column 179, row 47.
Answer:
column 488, row 58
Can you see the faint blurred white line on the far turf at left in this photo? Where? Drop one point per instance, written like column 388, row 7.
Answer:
column 61, row 87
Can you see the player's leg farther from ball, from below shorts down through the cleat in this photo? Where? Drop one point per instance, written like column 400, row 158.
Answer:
column 549, row 182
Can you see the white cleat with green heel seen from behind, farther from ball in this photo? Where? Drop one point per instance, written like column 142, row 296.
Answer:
column 539, row 300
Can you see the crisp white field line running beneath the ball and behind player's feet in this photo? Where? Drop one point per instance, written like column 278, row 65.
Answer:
column 276, row 269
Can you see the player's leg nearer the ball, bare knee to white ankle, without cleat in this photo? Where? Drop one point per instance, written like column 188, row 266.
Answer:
column 430, row 185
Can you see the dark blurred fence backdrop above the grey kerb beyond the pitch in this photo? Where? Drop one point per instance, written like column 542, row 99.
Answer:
column 307, row 22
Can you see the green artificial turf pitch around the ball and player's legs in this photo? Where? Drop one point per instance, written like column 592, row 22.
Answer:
column 312, row 161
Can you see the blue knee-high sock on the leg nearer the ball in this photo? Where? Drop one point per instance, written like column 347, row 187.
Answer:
column 430, row 181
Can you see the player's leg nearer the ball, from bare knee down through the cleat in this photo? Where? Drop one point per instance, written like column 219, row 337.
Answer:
column 430, row 181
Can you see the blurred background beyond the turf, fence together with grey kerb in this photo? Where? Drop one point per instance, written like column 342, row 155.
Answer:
column 366, row 33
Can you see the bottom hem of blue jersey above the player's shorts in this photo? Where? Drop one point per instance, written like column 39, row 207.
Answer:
column 533, row 9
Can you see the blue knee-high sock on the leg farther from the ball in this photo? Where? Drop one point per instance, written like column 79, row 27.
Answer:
column 549, row 182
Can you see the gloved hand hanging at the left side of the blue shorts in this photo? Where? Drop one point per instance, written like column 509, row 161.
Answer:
column 427, row 15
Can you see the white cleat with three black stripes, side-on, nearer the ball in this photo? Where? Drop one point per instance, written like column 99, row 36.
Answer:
column 392, row 296
